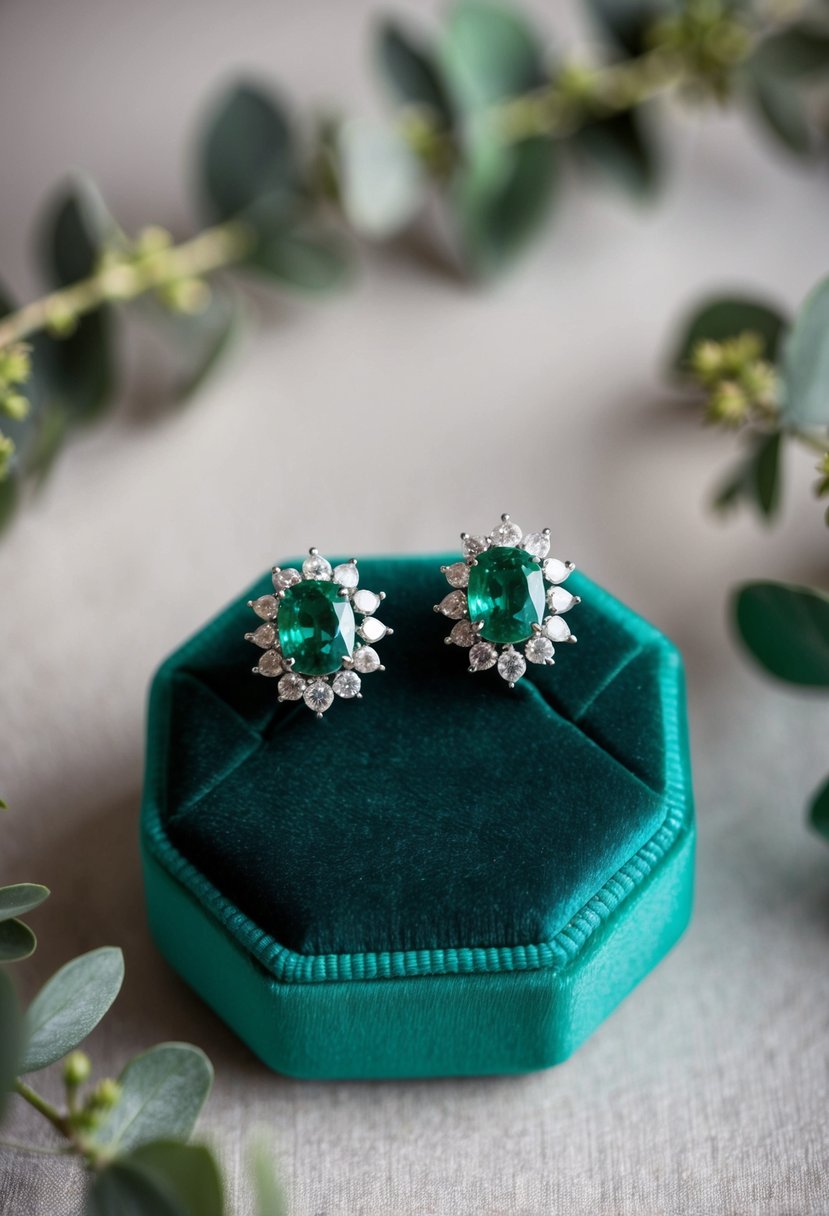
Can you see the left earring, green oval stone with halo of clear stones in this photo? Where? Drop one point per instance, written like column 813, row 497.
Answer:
column 311, row 637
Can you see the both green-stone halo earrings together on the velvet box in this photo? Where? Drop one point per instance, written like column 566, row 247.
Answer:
column 319, row 628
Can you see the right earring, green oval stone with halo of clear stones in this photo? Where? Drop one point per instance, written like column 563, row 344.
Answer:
column 509, row 592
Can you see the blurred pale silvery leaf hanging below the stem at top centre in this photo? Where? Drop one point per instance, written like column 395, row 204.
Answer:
column 381, row 181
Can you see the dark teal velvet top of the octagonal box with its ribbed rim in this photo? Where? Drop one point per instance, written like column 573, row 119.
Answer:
column 442, row 824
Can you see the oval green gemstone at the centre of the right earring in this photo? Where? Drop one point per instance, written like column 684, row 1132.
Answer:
column 507, row 594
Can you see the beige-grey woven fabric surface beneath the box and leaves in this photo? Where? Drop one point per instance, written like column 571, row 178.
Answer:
column 390, row 420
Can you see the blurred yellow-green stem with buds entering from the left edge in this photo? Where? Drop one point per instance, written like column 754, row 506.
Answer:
column 212, row 250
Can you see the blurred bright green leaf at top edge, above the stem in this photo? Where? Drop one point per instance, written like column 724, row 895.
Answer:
column 489, row 53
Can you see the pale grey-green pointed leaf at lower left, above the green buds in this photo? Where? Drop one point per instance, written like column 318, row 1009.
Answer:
column 71, row 1005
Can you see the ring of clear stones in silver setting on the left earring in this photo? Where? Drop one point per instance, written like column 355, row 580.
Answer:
column 319, row 693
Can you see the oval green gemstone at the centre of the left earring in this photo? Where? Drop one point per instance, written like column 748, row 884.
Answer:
column 317, row 628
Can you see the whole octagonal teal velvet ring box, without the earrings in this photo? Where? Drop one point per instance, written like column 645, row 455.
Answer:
column 447, row 877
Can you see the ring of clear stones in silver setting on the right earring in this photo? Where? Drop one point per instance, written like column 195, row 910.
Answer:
column 511, row 660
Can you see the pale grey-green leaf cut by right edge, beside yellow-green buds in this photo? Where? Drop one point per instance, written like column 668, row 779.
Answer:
column 807, row 363
